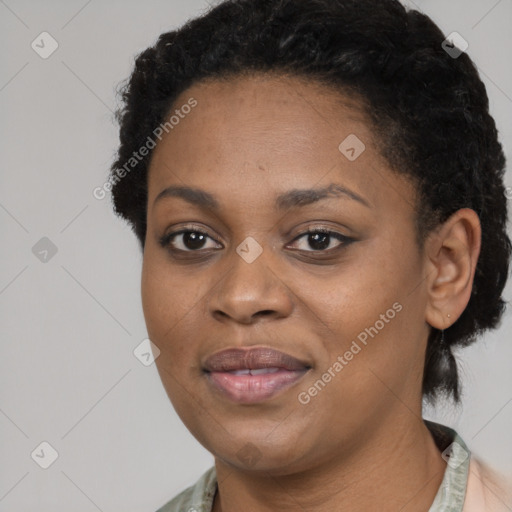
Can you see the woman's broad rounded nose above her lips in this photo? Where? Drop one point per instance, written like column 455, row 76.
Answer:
column 250, row 291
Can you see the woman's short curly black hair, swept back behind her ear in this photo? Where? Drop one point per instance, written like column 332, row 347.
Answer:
column 429, row 111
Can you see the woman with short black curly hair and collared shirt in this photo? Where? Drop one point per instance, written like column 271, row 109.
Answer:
column 317, row 188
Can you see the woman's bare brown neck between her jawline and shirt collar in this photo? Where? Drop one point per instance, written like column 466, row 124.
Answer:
column 398, row 469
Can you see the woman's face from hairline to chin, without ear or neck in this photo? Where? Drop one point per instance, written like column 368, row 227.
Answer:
column 346, row 309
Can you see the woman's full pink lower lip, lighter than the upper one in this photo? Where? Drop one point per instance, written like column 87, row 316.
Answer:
column 249, row 389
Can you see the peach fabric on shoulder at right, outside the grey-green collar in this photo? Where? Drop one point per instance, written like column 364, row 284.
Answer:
column 487, row 490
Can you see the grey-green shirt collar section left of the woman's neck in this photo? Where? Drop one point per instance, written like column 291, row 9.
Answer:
column 197, row 497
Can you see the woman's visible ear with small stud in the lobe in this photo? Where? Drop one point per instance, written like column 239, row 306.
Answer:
column 452, row 253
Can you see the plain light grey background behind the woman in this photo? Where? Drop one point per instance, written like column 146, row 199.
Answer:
column 70, row 325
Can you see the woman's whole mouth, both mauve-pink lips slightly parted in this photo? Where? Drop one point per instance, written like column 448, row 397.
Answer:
column 253, row 375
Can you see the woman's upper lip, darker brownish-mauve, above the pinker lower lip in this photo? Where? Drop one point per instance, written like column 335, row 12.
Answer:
column 261, row 357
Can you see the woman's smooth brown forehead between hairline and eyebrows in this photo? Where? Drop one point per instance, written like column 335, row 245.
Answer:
column 278, row 130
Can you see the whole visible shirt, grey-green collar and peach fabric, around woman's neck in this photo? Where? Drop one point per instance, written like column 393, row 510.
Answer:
column 467, row 486
